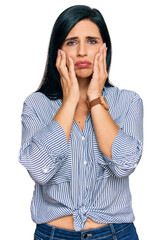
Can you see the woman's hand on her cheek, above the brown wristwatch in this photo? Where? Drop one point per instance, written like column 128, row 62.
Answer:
column 99, row 74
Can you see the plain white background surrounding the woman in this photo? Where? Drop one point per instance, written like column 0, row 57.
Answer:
column 135, row 30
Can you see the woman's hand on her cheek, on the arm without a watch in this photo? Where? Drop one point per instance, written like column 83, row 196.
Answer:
column 68, row 78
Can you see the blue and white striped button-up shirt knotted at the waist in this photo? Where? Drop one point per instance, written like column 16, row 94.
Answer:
column 76, row 178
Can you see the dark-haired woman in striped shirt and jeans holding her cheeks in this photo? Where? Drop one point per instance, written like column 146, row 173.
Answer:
column 81, row 137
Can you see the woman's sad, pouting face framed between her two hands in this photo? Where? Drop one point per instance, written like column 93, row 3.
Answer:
column 82, row 44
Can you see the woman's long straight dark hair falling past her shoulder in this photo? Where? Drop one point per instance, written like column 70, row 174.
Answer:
column 50, row 84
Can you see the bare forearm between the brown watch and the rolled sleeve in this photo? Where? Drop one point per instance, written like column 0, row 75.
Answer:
column 105, row 128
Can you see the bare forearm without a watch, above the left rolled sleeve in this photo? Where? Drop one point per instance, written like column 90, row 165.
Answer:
column 65, row 116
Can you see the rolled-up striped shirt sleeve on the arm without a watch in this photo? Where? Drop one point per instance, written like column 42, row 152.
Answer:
column 44, row 147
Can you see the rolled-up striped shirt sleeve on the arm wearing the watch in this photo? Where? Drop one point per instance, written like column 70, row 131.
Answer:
column 127, row 146
